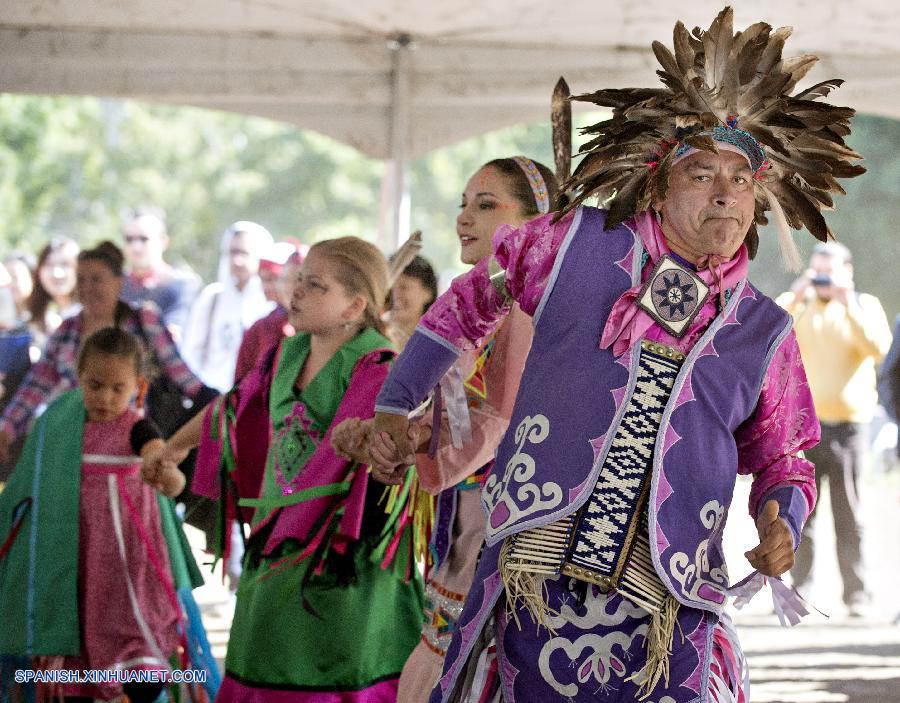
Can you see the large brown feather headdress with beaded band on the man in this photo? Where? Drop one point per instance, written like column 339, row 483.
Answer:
column 721, row 86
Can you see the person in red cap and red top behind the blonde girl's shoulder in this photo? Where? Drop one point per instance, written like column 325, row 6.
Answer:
column 271, row 329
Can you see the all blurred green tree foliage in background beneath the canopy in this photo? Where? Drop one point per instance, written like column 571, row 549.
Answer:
column 75, row 165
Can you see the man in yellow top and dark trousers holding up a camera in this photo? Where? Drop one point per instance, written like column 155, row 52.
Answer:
column 843, row 335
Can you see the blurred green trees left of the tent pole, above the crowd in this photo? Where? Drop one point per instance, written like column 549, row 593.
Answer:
column 76, row 165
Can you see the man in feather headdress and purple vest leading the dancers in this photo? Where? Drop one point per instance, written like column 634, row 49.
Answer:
column 657, row 374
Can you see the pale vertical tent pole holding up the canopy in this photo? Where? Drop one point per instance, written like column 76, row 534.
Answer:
column 398, row 169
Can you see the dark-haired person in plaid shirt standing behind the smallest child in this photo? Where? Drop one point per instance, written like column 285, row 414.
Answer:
column 99, row 287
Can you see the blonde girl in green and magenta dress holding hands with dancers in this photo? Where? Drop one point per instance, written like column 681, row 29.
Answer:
column 329, row 603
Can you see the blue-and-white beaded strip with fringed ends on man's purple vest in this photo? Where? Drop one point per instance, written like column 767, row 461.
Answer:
column 606, row 541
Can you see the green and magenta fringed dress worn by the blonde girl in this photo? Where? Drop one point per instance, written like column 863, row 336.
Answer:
column 329, row 603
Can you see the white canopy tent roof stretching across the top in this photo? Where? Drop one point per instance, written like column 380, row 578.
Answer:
column 398, row 78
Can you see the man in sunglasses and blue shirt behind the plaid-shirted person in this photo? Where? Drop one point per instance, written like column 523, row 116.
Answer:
column 149, row 276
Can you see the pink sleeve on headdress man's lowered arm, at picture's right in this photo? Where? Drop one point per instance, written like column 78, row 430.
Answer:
column 771, row 441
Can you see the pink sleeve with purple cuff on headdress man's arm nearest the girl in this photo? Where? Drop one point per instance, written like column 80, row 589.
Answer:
column 473, row 308
